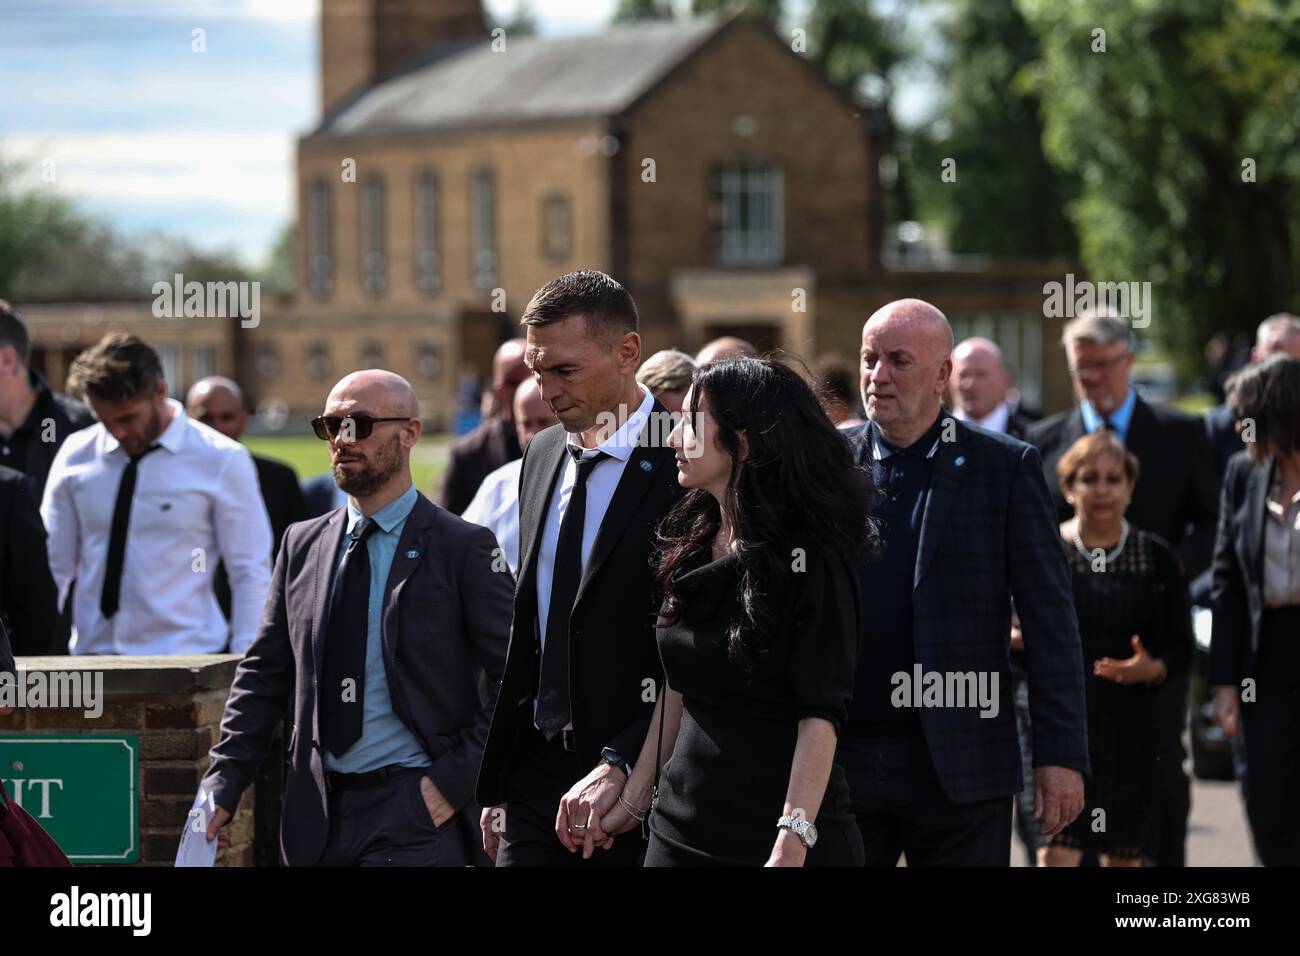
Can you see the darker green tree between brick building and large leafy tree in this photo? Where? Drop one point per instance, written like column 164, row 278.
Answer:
column 1003, row 198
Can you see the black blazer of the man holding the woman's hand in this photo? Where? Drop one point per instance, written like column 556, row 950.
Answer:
column 613, row 648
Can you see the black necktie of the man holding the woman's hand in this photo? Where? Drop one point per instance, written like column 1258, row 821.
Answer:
column 553, row 693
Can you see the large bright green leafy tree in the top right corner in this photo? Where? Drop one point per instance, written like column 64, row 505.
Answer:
column 1181, row 122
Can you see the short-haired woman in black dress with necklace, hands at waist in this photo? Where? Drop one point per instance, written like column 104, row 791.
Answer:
column 1130, row 594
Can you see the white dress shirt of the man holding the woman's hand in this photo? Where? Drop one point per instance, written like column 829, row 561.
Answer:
column 601, row 486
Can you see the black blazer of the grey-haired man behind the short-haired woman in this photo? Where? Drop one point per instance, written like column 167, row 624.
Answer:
column 1177, row 494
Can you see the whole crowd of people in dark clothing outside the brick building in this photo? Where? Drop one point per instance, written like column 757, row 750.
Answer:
column 692, row 611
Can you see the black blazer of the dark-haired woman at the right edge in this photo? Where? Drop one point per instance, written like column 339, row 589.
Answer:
column 1237, row 596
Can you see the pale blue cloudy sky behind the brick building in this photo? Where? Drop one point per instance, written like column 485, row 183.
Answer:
column 153, row 136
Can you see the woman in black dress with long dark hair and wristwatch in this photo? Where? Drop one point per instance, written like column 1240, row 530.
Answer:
column 760, row 631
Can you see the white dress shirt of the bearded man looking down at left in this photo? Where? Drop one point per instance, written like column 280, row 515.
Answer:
column 197, row 504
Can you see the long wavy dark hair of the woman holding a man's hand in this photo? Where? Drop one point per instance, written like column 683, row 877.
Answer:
column 798, row 488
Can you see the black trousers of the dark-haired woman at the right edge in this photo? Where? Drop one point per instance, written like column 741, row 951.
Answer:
column 1273, row 741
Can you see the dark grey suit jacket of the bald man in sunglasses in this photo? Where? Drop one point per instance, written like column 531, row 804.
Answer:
column 445, row 630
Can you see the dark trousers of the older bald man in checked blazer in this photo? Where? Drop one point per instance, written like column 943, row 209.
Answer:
column 903, row 810
